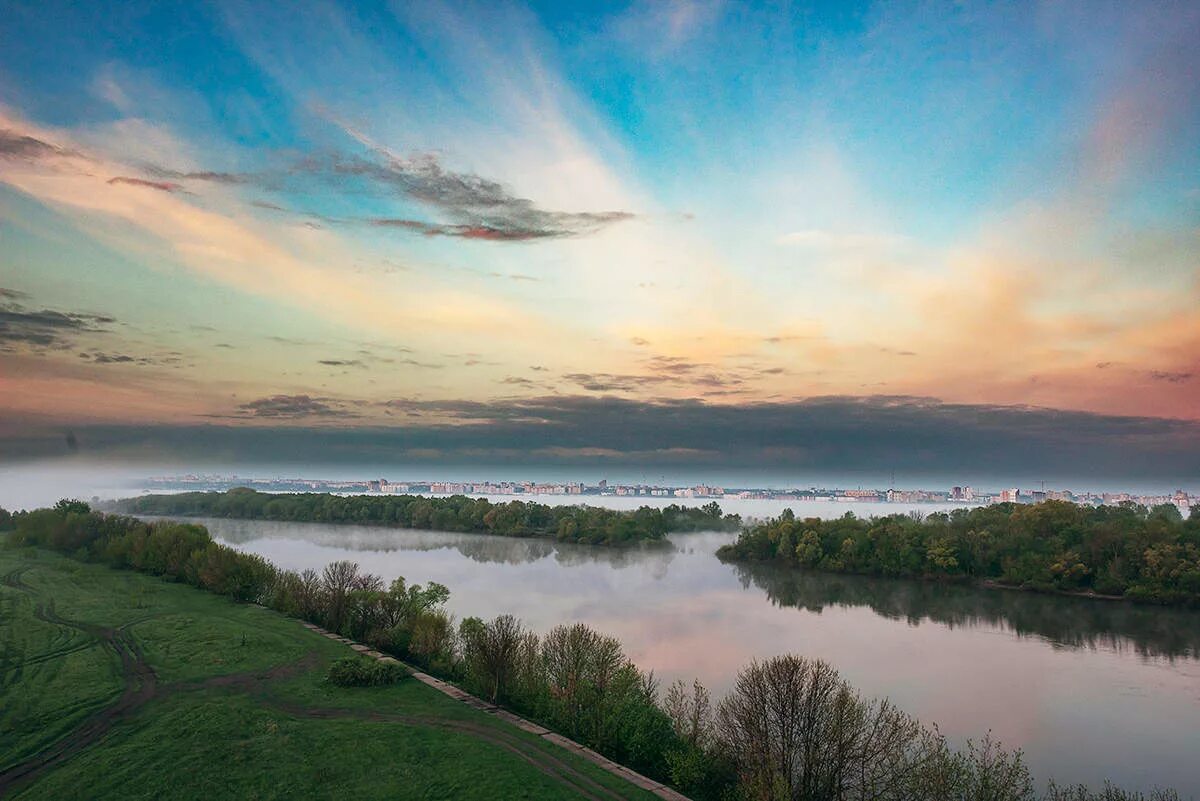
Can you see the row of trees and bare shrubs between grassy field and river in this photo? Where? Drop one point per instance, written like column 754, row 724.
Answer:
column 790, row 730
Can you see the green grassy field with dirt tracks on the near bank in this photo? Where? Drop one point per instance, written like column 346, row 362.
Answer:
column 119, row 685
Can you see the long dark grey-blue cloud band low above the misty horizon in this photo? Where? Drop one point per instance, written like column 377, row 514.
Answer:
column 825, row 435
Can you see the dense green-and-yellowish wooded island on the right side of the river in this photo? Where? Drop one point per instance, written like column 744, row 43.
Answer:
column 1127, row 551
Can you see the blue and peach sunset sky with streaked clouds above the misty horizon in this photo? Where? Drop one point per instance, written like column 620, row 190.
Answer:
column 884, row 236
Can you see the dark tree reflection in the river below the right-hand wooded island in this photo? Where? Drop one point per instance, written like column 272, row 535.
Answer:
column 1064, row 622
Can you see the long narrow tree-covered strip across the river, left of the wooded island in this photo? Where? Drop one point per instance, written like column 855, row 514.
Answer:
column 517, row 519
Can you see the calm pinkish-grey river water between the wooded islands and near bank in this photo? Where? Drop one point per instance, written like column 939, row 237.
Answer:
column 1088, row 689
